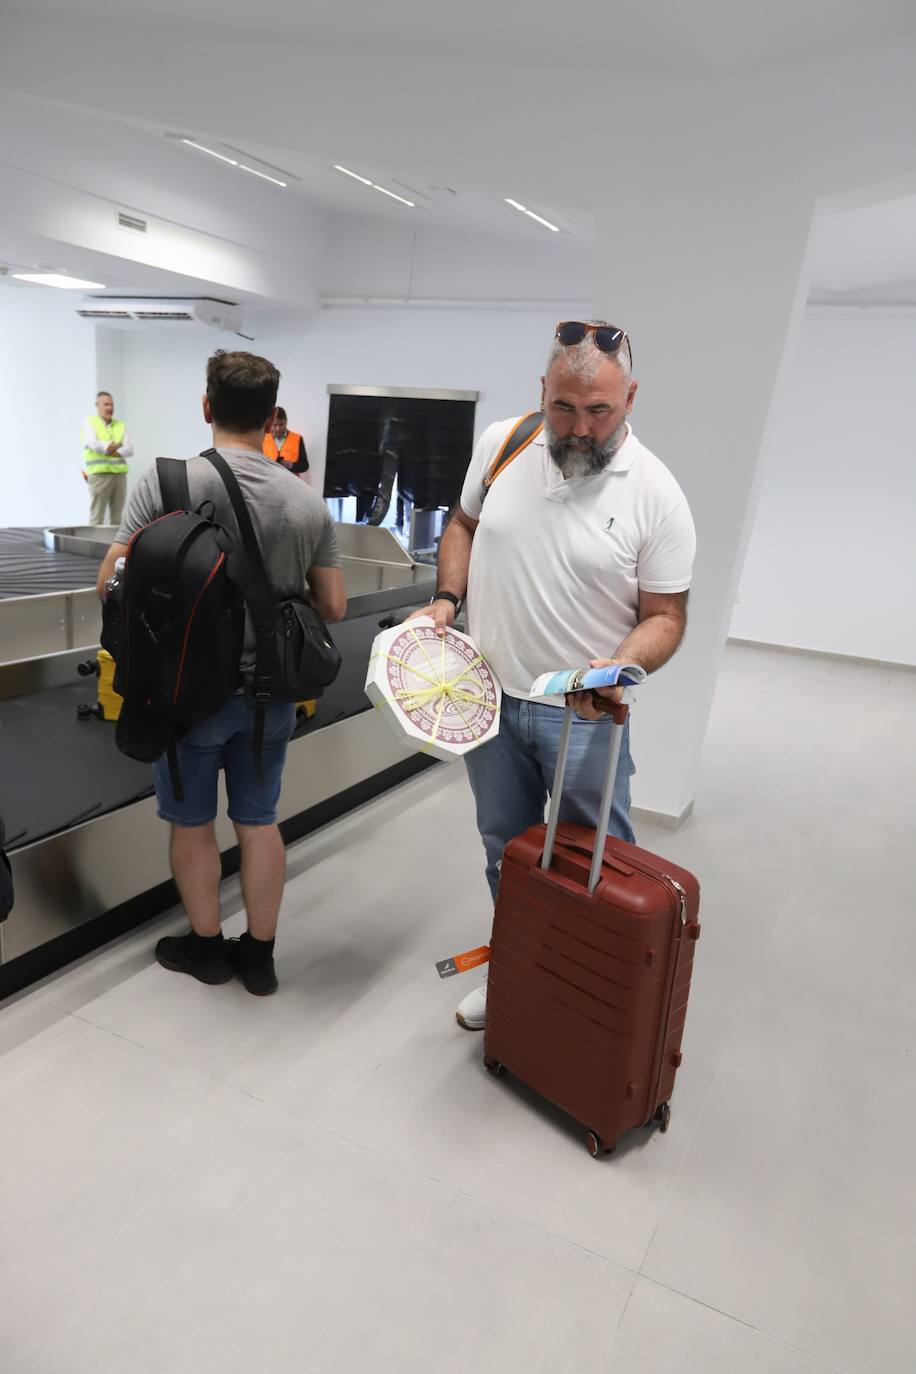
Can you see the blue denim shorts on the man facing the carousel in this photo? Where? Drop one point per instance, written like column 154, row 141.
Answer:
column 227, row 741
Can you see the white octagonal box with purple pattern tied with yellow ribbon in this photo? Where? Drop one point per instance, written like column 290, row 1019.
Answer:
column 437, row 693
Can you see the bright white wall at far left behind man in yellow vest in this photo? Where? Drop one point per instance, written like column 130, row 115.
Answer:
column 47, row 387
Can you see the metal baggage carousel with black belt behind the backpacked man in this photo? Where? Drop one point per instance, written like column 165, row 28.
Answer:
column 87, row 848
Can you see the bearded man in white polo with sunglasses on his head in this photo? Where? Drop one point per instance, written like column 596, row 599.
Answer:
column 579, row 550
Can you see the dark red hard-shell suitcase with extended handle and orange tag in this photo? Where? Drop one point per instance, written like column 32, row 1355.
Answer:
column 591, row 968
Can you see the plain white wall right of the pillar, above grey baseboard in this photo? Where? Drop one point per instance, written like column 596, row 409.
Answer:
column 832, row 561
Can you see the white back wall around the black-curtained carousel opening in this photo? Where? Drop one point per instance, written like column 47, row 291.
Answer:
column 498, row 352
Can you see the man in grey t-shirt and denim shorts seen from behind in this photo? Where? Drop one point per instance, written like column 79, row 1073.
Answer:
column 299, row 545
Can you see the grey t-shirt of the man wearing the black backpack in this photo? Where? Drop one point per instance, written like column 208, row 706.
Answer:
column 293, row 524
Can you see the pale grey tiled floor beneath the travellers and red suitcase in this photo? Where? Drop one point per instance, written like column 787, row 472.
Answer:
column 193, row 1180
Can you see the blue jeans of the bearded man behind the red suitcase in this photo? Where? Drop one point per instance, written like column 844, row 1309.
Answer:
column 513, row 774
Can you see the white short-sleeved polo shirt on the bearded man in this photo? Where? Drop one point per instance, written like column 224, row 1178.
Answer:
column 557, row 565
